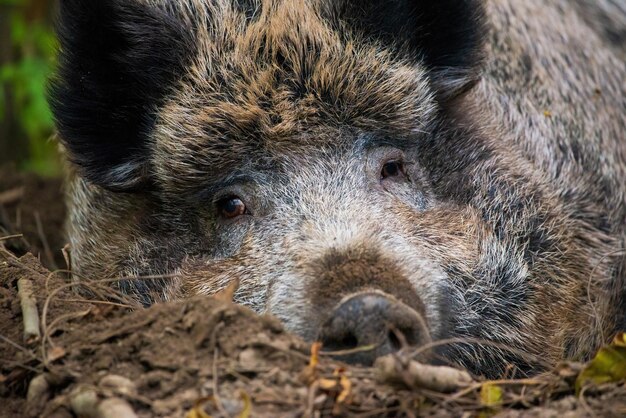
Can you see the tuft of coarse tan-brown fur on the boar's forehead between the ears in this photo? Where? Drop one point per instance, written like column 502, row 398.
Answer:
column 282, row 83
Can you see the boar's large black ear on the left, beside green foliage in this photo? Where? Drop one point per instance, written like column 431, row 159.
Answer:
column 118, row 60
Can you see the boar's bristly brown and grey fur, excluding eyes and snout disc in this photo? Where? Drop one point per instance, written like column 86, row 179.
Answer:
column 506, row 224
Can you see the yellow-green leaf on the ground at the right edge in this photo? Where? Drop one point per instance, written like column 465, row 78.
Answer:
column 609, row 365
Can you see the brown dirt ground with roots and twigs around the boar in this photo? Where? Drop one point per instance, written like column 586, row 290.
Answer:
column 103, row 356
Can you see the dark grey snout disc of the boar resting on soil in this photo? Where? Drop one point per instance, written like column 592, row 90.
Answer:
column 371, row 319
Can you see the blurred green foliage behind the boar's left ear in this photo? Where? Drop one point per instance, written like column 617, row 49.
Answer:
column 34, row 48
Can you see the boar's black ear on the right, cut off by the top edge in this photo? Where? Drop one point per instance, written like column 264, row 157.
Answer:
column 447, row 36
